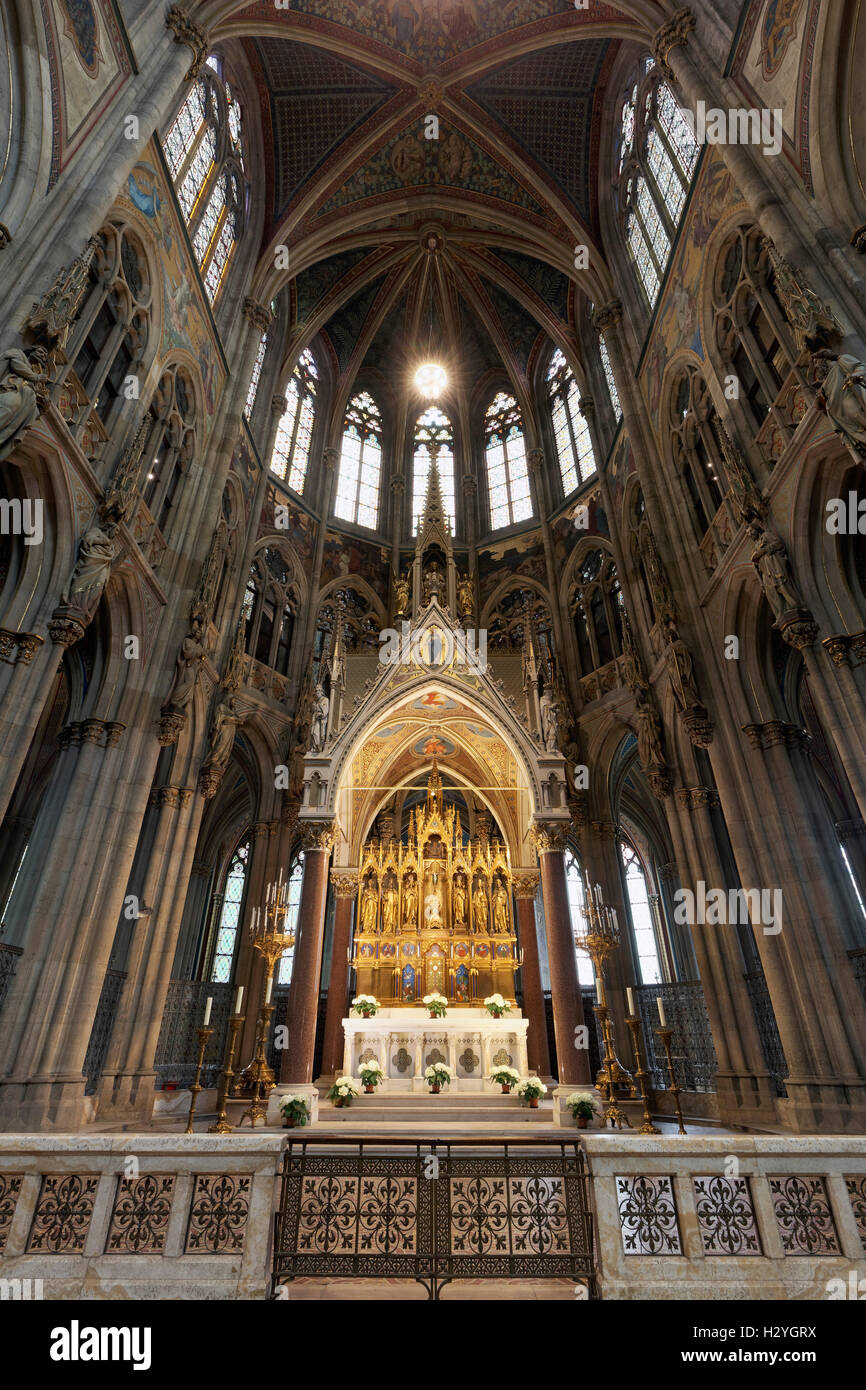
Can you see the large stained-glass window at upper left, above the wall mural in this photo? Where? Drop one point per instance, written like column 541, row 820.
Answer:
column 205, row 154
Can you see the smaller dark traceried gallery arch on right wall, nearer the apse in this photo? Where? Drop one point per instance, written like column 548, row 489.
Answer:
column 694, row 437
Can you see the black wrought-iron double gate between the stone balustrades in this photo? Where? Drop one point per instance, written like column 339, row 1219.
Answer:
column 434, row 1213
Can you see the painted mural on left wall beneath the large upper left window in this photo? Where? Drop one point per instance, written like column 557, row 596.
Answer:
column 186, row 322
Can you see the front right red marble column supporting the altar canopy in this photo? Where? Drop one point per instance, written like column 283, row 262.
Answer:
column 573, row 1064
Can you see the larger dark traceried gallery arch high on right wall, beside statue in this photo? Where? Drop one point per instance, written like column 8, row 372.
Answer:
column 753, row 336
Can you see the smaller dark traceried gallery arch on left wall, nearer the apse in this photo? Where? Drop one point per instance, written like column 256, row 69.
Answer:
column 172, row 445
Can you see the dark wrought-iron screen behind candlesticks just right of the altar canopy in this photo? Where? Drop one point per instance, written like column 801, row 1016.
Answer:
column 692, row 1045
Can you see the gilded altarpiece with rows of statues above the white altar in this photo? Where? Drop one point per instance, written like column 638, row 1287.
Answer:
column 434, row 913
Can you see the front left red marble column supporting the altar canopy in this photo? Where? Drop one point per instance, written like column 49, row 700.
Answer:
column 297, row 1067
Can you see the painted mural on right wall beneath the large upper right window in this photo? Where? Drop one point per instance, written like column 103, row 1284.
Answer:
column 676, row 322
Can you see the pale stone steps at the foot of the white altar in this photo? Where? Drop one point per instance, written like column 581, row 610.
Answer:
column 408, row 1109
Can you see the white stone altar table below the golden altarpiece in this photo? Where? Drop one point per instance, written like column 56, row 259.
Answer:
column 405, row 1042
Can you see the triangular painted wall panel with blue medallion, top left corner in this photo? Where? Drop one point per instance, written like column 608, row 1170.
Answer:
column 88, row 63
